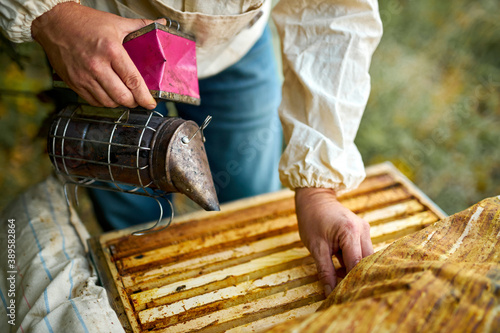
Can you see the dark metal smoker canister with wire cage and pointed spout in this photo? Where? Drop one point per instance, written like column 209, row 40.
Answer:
column 135, row 151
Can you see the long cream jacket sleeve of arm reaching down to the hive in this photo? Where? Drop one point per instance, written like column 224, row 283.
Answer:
column 327, row 48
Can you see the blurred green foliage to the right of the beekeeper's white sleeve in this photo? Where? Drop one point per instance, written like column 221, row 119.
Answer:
column 434, row 109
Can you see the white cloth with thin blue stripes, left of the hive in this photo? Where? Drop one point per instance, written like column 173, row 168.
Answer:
column 55, row 286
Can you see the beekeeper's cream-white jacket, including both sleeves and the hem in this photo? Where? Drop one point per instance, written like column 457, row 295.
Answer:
column 327, row 47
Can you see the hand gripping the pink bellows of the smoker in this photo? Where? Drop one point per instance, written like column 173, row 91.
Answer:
column 84, row 46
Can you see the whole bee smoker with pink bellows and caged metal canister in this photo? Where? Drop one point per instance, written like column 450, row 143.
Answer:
column 136, row 150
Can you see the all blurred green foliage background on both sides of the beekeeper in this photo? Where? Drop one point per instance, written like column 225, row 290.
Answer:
column 434, row 109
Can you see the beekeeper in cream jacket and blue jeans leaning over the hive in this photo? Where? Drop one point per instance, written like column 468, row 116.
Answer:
column 327, row 48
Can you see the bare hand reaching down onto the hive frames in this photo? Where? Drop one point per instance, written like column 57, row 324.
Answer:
column 327, row 228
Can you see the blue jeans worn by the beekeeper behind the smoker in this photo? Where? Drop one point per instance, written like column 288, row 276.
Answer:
column 244, row 138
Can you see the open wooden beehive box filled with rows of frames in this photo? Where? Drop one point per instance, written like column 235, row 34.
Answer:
column 244, row 268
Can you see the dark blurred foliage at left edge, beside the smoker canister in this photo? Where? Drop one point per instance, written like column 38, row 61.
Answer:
column 24, row 75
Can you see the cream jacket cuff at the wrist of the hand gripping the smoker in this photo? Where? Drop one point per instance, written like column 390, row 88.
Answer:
column 16, row 16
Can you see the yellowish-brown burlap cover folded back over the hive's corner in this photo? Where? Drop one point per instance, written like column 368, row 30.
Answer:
column 445, row 278
